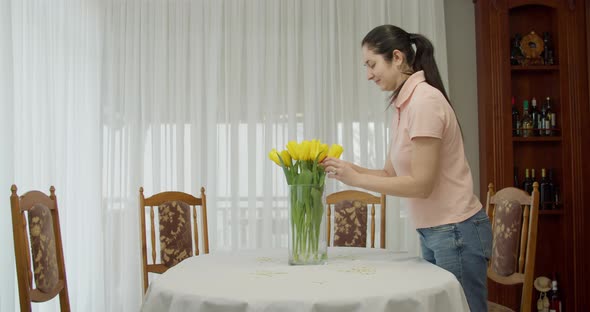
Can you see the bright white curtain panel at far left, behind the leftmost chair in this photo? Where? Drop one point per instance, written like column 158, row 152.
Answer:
column 50, row 121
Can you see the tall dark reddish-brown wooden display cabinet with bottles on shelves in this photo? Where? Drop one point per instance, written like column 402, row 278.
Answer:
column 561, row 244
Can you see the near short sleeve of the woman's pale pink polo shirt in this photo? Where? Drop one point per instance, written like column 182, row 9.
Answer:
column 427, row 116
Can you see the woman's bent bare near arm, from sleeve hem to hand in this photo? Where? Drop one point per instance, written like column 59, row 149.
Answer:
column 425, row 165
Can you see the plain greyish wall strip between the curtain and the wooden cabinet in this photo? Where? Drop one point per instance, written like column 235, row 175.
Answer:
column 461, row 57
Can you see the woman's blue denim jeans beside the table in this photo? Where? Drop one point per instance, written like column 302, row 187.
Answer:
column 463, row 249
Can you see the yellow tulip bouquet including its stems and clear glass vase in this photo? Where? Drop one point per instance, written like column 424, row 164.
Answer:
column 305, row 177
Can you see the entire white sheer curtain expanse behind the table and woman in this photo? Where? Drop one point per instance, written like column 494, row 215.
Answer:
column 106, row 96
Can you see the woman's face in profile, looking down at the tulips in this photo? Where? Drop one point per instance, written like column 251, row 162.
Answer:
column 386, row 75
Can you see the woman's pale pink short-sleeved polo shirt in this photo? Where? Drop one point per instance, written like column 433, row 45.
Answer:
column 421, row 110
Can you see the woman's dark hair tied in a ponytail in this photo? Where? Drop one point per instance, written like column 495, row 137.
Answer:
column 385, row 39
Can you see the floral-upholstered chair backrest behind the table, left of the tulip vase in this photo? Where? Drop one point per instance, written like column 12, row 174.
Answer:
column 178, row 239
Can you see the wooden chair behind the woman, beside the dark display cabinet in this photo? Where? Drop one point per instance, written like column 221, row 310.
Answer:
column 514, row 214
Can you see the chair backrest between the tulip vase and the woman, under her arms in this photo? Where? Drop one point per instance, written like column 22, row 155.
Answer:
column 351, row 218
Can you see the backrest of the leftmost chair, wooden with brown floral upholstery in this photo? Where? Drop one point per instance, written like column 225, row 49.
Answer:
column 36, row 213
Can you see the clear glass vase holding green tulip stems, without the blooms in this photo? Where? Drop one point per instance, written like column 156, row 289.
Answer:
column 307, row 225
